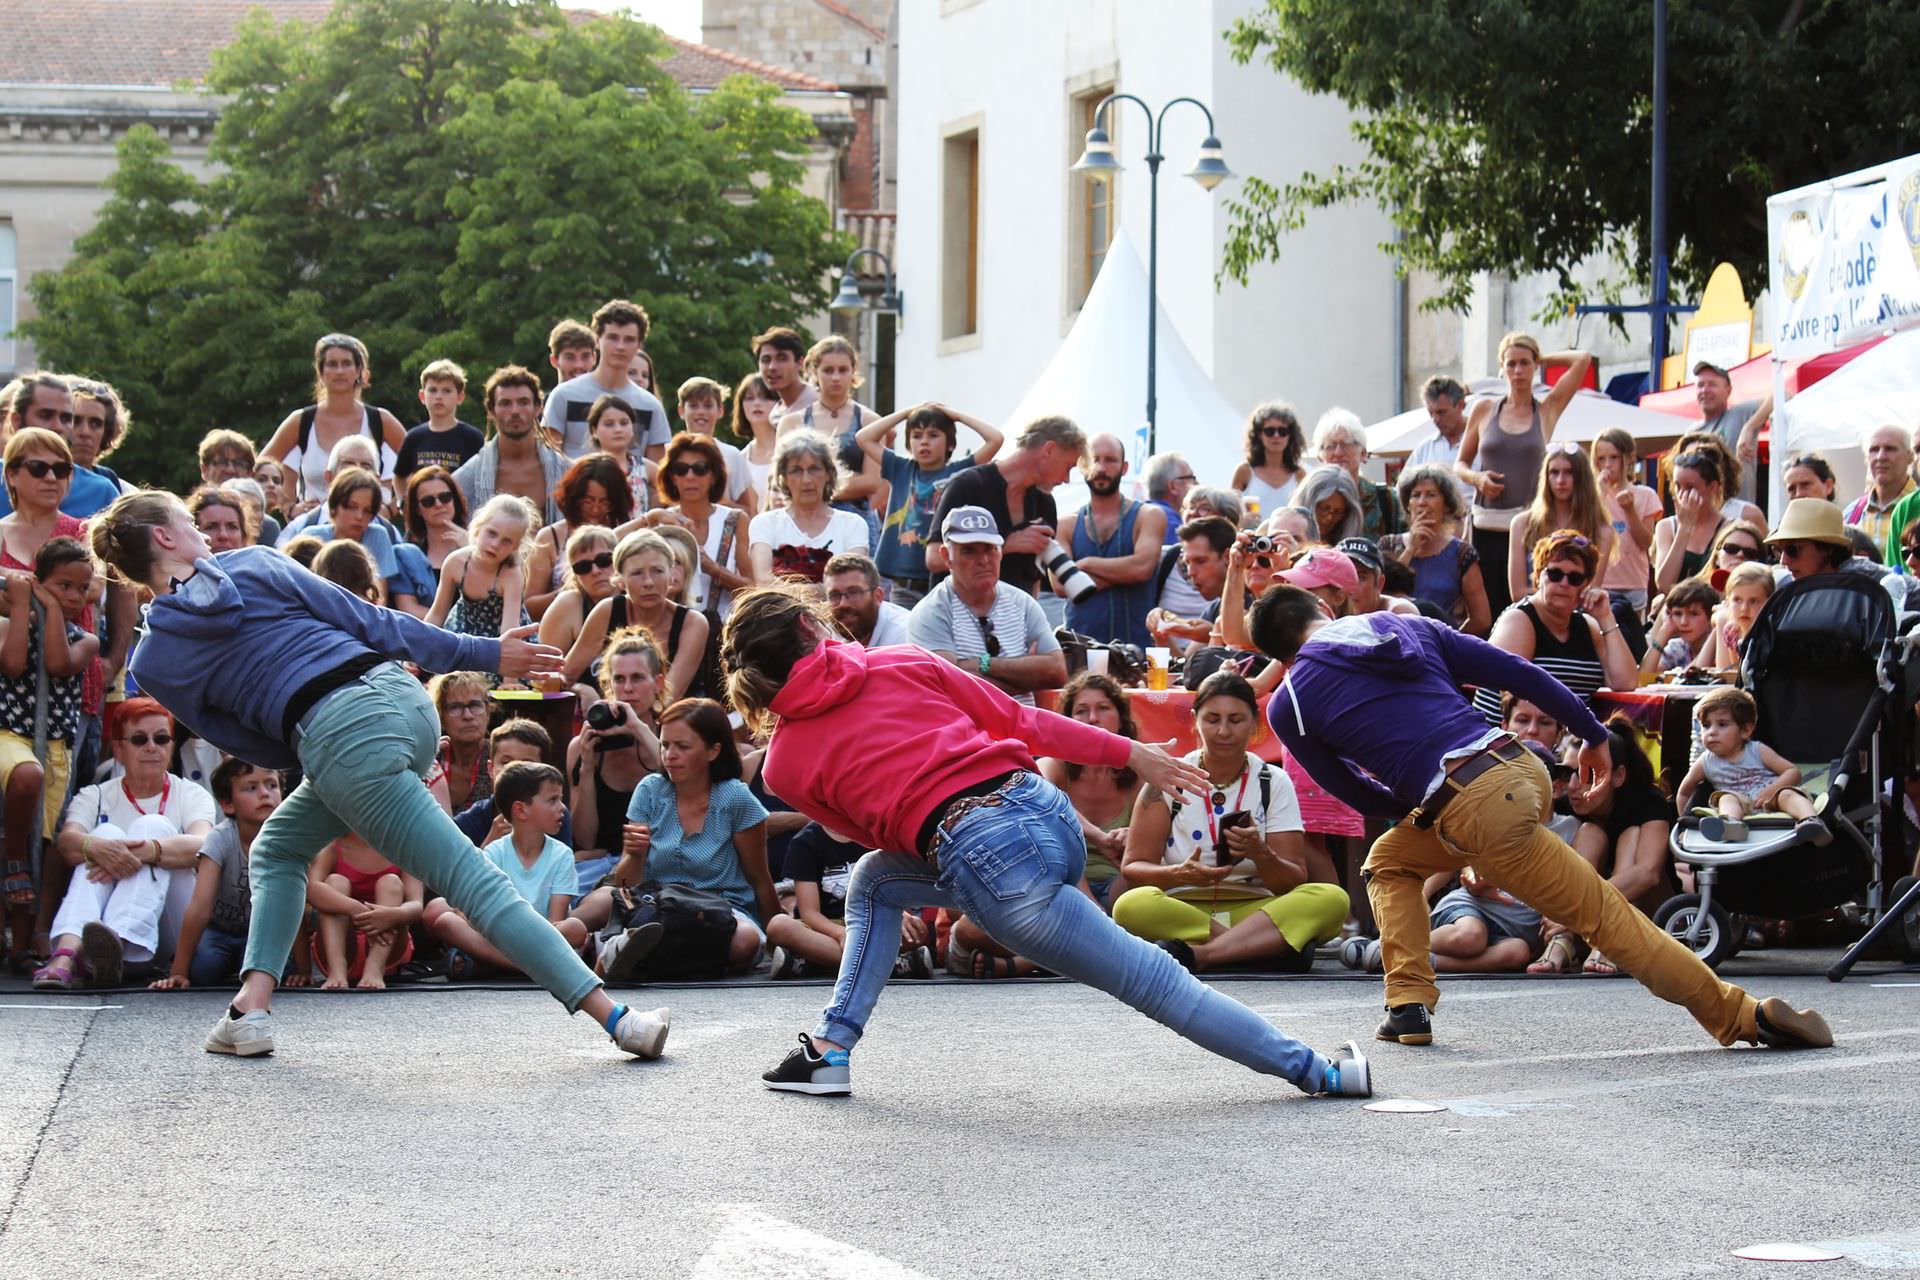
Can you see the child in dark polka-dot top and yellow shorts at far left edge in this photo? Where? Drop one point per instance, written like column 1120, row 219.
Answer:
column 62, row 575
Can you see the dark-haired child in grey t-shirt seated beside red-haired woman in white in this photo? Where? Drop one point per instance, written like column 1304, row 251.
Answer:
column 222, row 907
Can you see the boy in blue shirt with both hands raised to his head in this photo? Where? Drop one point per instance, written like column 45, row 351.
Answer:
column 915, row 486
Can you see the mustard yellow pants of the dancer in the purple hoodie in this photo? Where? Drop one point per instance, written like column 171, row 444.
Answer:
column 1495, row 826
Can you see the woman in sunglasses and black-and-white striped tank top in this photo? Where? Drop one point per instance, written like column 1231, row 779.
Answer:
column 1566, row 627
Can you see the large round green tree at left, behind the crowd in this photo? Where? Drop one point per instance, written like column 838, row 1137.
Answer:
column 443, row 179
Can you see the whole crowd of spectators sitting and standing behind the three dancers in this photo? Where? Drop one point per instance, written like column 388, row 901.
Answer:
column 583, row 511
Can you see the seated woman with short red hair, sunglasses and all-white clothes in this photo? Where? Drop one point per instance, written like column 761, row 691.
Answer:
column 126, row 840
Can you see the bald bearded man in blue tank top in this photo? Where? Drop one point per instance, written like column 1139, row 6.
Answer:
column 1118, row 542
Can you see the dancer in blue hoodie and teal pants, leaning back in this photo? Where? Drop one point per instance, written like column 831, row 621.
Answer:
column 279, row 667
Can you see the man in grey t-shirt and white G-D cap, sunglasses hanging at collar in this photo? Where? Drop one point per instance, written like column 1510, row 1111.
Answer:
column 980, row 623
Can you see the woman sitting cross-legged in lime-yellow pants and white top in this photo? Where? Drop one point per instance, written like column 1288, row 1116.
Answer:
column 1226, row 882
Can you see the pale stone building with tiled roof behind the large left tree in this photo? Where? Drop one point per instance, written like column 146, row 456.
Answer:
column 89, row 70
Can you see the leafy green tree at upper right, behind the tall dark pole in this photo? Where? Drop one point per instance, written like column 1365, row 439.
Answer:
column 1516, row 135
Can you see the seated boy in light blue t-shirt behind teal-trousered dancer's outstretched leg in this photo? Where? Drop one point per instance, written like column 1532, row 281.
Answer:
column 540, row 868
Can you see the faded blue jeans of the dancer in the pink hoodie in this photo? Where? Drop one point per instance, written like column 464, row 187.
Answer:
column 1015, row 870
